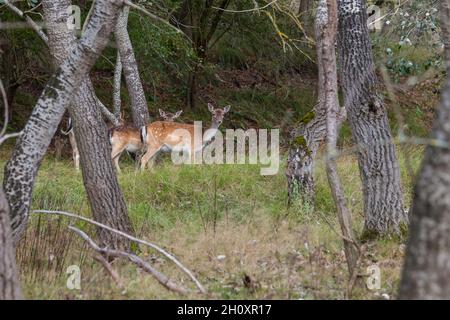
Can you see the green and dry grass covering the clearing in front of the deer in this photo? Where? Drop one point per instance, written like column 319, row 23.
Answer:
column 230, row 225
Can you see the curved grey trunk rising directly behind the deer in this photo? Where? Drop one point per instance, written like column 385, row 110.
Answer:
column 139, row 107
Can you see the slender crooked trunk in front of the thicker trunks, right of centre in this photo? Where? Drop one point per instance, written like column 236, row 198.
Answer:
column 326, row 29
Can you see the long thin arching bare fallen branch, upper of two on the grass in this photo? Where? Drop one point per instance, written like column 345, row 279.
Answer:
column 151, row 245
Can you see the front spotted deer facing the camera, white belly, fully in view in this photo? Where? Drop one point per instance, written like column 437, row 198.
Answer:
column 163, row 136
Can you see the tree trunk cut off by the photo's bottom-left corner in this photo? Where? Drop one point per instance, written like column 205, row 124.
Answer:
column 9, row 279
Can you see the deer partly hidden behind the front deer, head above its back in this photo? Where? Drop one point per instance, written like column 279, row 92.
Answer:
column 127, row 138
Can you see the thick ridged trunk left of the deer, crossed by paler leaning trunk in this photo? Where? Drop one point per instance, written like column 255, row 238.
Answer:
column 101, row 184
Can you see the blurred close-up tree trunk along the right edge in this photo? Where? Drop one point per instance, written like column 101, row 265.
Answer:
column 426, row 273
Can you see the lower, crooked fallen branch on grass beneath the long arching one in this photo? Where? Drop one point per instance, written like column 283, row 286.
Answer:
column 160, row 277
